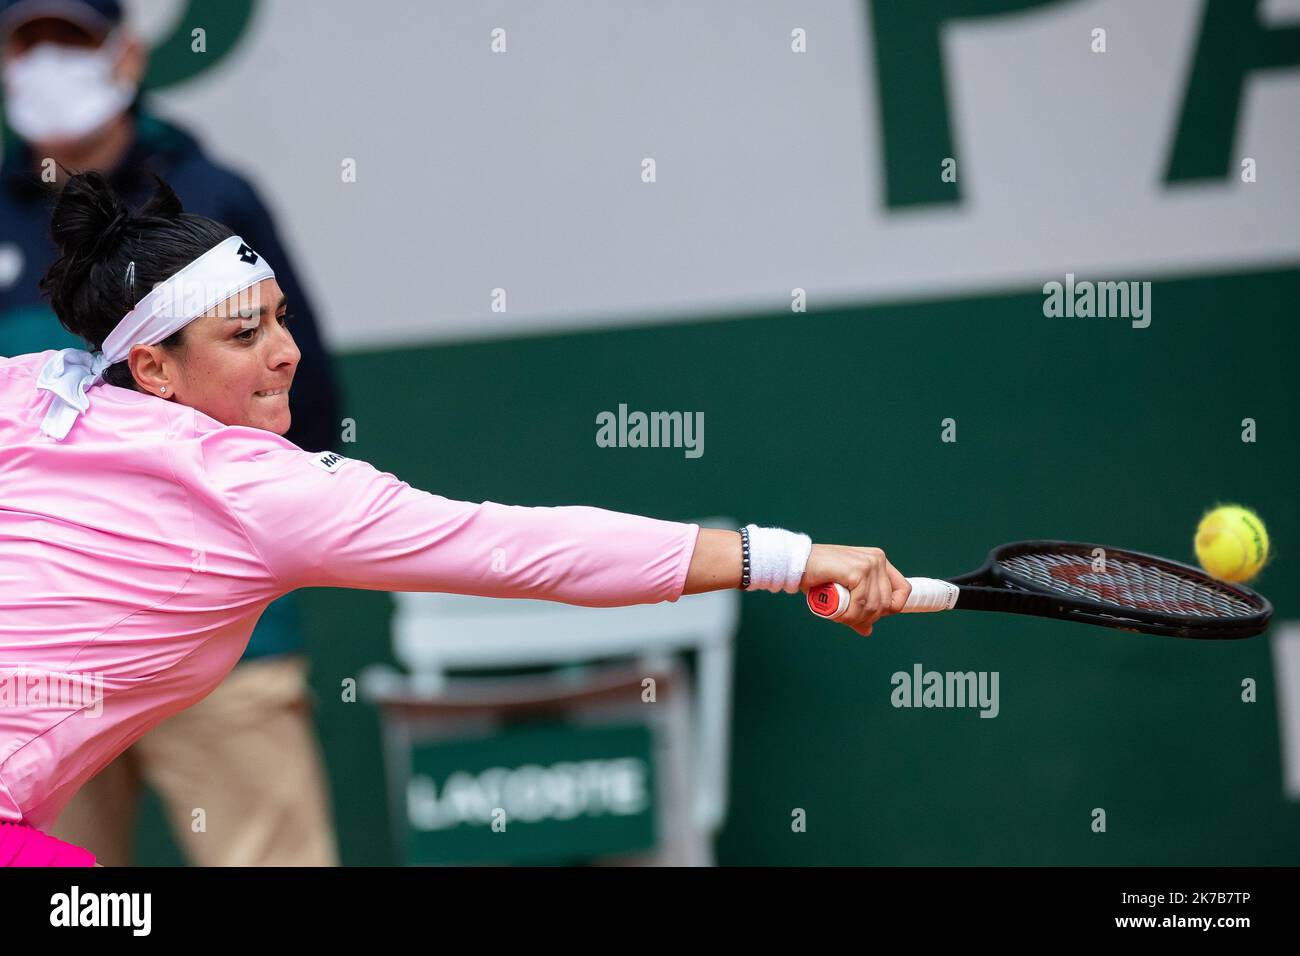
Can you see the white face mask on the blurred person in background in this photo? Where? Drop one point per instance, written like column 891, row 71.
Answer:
column 58, row 94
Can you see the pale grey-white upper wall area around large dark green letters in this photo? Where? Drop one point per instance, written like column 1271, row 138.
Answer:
column 523, row 170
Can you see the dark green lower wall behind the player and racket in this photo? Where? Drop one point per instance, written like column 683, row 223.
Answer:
column 829, row 422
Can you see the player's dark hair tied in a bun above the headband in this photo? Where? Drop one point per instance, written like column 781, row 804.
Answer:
column 93, row 285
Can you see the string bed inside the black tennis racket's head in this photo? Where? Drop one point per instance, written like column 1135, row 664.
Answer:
column 1129, row 583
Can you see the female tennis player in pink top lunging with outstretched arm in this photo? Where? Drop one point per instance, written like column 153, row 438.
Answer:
column 150, row 509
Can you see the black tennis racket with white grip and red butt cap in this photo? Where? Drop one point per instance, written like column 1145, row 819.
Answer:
column 1110, row 587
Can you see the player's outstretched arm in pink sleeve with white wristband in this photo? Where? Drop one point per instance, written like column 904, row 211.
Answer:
column 327, row 521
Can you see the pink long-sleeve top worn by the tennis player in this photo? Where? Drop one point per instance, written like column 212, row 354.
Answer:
column 138, row 553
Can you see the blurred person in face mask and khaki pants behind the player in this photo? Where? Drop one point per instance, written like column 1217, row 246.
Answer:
column 248, row 755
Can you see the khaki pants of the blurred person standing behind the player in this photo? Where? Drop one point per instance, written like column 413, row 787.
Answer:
column 246, row 756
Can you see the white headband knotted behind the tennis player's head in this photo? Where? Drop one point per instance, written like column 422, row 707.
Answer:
column 226, row 270
